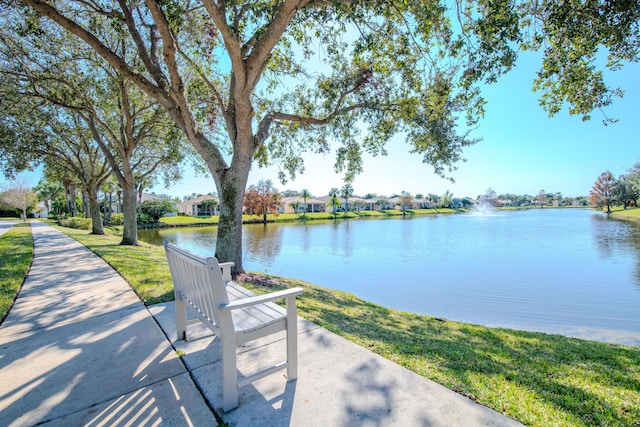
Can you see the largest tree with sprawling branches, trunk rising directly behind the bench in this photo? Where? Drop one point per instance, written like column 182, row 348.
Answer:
column 269, row 79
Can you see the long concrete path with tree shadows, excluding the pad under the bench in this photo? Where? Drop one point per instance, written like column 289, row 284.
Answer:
column 79, row 348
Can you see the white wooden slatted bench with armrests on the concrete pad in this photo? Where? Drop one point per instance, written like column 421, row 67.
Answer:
column 233, row 313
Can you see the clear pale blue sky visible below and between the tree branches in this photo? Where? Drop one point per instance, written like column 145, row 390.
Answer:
column 523, row 150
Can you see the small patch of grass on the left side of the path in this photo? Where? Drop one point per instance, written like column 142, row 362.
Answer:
column 16, row 254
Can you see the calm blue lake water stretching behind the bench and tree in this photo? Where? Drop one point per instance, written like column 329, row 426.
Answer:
column 568, row 271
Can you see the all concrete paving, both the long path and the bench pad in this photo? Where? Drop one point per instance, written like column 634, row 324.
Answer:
column 78, row 348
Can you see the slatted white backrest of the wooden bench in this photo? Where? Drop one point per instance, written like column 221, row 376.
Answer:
column 198, row 280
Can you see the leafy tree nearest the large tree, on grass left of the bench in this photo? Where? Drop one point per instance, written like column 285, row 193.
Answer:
column 133, row 132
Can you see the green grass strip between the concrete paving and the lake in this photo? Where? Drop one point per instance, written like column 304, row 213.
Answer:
column 538, row 379
